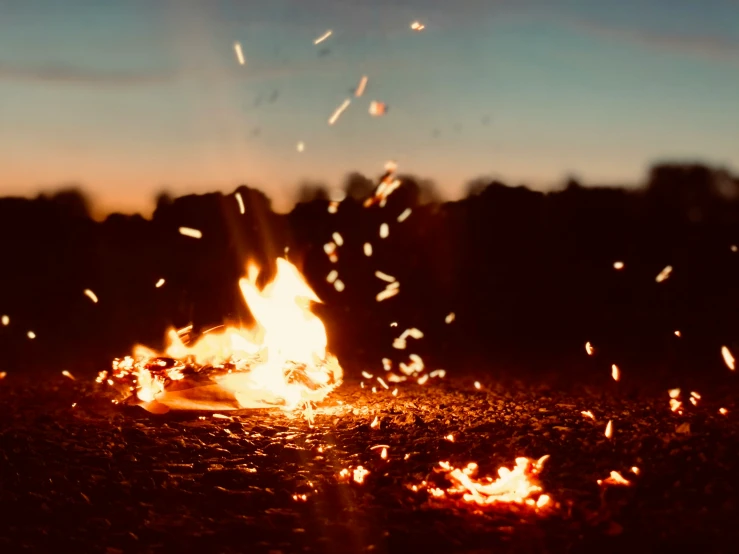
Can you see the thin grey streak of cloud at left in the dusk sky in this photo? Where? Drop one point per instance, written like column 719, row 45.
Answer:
column 71, row 75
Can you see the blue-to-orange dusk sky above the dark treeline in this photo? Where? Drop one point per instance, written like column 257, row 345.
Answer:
column 128, row 99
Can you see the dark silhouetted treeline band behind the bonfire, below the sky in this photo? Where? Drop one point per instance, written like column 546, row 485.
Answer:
column 529, row 275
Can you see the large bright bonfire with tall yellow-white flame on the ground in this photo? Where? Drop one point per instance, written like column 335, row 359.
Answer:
column 281, row 361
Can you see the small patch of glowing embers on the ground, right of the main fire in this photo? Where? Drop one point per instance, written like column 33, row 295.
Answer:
column 519, row 485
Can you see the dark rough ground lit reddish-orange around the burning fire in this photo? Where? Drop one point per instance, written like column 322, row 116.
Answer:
column 102, row 478
